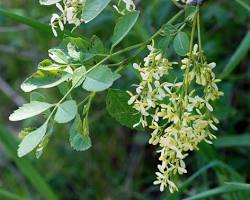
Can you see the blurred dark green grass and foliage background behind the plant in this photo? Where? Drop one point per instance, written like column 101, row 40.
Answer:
column 120, row 164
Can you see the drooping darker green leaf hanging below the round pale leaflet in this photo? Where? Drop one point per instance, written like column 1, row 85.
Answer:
column 79, row 140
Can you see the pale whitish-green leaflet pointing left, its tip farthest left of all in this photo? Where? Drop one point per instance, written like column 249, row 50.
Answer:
column 29, row 110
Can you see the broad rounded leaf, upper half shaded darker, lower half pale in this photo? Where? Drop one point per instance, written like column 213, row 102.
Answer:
column 99, row 79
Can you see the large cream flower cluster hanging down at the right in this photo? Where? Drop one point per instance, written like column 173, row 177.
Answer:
column 179, row 113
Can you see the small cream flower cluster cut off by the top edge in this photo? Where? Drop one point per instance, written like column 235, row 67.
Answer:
column 70, row 14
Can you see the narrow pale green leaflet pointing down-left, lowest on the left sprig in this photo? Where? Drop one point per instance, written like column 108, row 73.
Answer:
column 32, row 140
